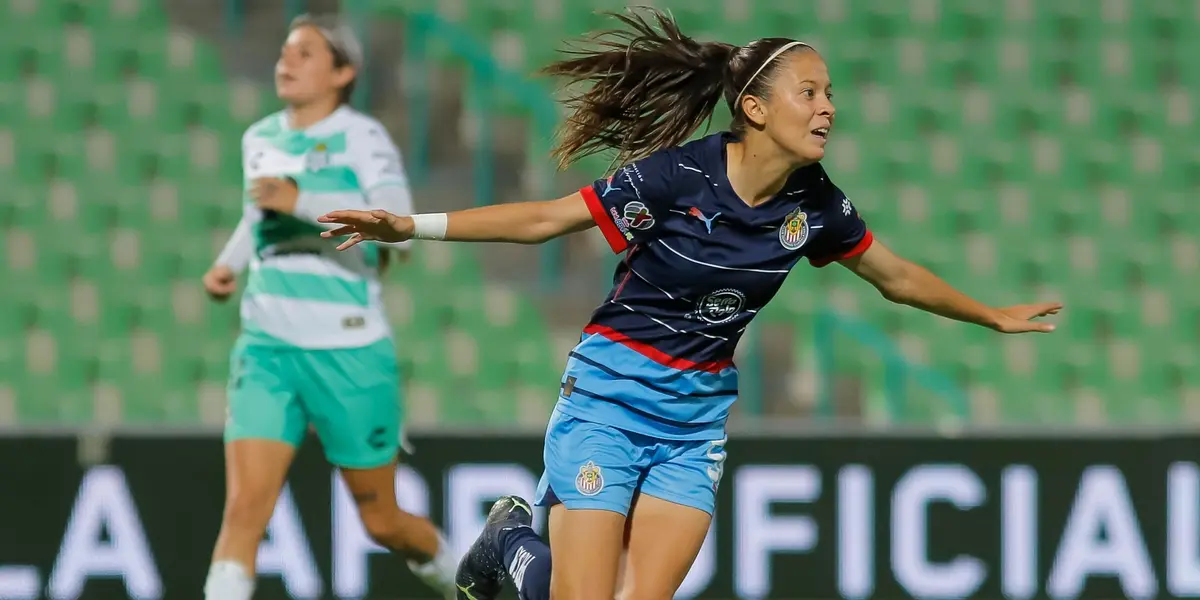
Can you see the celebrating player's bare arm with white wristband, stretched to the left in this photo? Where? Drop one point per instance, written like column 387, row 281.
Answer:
column 524, row 223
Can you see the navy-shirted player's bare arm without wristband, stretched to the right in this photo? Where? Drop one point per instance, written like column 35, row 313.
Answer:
column 904, row 283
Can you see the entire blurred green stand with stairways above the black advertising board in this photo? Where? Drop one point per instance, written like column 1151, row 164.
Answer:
column 1024, row 151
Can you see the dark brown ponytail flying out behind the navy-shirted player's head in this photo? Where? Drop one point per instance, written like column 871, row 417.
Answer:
column 651, row 88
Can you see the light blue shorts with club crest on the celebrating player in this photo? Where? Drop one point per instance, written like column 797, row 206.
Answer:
column 595, row 466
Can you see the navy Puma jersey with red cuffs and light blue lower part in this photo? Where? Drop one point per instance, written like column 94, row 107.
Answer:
column 657, row 357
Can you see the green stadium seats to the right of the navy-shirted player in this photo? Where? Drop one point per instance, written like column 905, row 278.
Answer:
column 1010, row 193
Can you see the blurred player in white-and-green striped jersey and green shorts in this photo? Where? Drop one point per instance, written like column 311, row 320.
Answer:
column 316, row 349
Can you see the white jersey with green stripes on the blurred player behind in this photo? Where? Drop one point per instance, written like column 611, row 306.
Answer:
column 302, row 292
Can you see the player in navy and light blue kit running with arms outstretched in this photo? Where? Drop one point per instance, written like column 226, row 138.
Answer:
column 710, row 231
